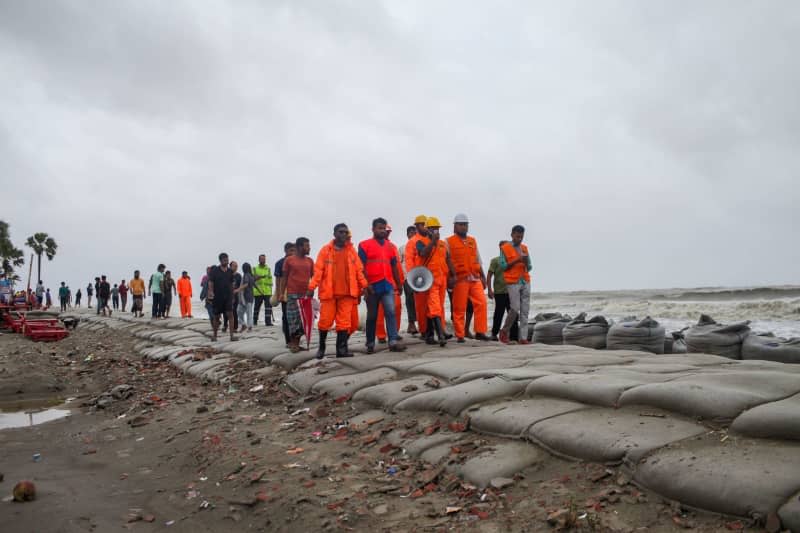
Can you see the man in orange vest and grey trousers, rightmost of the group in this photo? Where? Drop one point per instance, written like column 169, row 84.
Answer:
column 516, row 265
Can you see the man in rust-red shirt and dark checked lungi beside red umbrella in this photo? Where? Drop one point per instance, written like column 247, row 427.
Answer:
column 297, row 272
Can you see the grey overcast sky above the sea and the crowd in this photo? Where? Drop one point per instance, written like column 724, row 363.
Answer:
column 642, row 144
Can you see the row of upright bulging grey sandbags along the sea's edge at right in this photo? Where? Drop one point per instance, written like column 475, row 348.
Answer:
column 734, row 341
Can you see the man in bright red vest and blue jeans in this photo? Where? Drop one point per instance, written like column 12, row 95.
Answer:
column 382, row 270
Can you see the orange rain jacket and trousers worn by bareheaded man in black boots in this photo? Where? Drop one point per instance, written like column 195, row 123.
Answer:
column 338, row 274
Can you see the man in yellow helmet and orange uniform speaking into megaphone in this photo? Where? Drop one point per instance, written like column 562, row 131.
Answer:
column 436, row 257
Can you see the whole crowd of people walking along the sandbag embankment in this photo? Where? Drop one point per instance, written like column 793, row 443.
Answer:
column 342, row 276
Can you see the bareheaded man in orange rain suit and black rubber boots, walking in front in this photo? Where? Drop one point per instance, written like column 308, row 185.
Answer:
column 338, row 274
